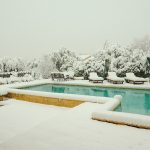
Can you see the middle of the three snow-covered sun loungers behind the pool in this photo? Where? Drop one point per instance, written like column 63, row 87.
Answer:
column 112, row 77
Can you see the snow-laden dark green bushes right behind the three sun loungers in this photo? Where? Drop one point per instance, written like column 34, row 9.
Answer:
column 114, row 57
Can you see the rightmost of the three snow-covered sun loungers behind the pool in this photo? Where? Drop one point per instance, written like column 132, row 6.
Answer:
column 131, row 78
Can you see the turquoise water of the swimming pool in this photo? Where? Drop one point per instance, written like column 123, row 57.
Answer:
column 134, row 101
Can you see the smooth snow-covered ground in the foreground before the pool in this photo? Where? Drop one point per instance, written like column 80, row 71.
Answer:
column 29, row 126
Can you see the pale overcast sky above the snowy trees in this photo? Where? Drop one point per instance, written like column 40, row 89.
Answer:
column 30, row 28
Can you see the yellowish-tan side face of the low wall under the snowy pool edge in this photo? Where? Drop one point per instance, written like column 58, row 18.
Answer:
column 45, row 100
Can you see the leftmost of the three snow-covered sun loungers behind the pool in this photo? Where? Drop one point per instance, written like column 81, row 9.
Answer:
column 93, row 77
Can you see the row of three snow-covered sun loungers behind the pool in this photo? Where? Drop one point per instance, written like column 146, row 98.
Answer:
column 113, row 78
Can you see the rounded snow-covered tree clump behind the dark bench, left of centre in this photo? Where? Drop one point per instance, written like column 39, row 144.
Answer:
column 62, row 60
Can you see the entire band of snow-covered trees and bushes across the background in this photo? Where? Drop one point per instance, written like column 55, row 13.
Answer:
column 113, row 57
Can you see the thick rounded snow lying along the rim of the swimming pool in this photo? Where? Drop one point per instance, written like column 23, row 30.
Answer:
column 110, row 103
